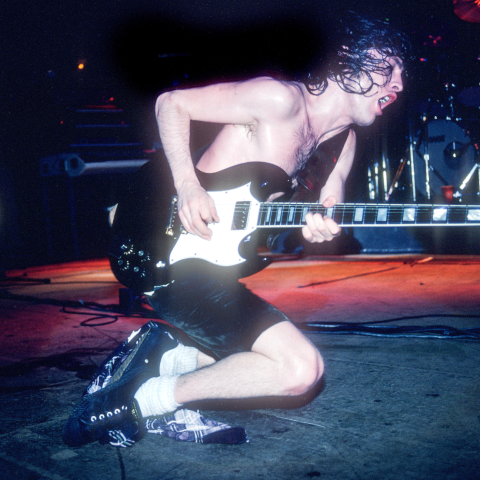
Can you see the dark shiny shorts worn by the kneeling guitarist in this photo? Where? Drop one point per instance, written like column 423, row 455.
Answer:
column 224, row 317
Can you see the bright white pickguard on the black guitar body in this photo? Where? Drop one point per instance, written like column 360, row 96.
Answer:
column 222, row 249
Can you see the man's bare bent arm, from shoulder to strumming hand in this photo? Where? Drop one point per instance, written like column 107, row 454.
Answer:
column 239, row 103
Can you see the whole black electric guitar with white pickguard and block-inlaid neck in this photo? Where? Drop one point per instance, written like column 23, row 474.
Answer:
column 239, row 192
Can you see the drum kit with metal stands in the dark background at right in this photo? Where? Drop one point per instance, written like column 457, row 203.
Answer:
column 443, row 156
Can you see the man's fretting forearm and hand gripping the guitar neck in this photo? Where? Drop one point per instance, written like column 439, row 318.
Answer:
column 318, row 228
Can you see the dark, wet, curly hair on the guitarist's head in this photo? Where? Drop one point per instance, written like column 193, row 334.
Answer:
column 360, row 48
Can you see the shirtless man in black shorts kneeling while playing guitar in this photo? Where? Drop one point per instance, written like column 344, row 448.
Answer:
column 278, row 122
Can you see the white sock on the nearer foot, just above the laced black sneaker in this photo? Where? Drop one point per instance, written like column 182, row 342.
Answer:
column 156, row 396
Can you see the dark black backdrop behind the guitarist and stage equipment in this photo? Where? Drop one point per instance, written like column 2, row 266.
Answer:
column 134, row 50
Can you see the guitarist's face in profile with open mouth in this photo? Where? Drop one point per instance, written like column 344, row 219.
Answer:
column 383, row 93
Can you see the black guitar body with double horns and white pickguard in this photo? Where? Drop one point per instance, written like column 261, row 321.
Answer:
column 149, row 248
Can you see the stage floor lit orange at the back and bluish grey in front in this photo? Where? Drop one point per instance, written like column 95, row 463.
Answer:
column 391, row 407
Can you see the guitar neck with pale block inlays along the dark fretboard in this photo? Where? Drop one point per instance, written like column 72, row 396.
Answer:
column 290, row 215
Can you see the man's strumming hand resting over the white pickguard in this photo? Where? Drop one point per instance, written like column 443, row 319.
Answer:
column 196, row 209
